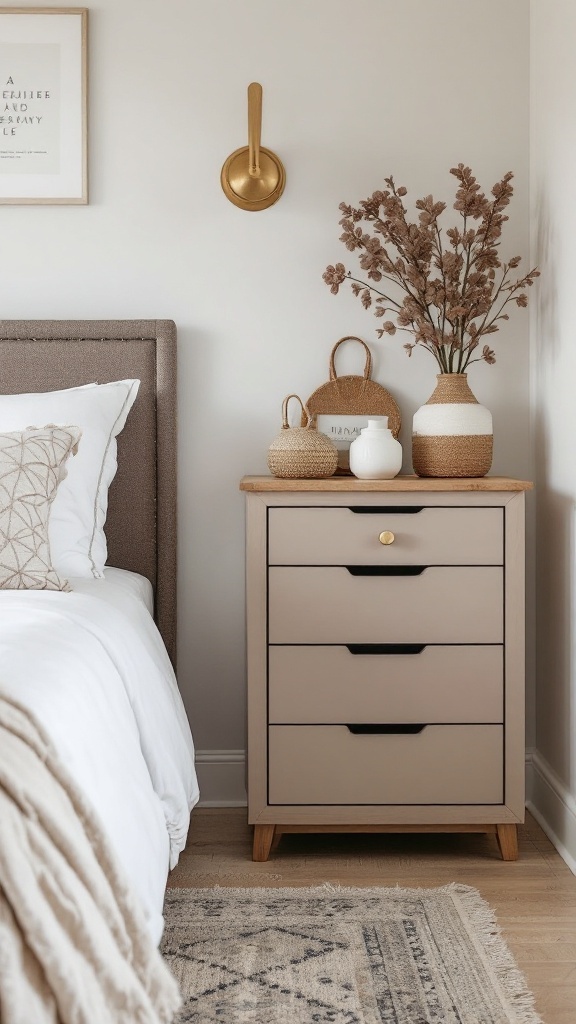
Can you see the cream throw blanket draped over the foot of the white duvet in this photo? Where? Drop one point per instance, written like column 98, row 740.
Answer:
column 74, row 946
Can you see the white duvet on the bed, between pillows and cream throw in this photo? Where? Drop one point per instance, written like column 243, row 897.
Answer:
column 94, row 669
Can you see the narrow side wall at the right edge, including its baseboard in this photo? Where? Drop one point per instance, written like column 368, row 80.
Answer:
column 554, row 244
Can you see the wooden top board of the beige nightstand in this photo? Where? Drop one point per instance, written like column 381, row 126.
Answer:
column 408, row 483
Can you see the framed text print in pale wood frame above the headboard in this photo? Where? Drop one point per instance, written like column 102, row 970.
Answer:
column 44, row 134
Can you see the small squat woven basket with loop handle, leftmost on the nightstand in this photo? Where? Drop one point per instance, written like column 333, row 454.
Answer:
column 302, row 453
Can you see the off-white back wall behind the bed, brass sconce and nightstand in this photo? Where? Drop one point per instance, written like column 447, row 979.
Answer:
column 354, row 92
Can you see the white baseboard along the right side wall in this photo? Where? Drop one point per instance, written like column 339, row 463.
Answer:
column 554, row 807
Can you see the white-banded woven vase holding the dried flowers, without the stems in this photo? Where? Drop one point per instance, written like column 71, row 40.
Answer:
column 452, row 434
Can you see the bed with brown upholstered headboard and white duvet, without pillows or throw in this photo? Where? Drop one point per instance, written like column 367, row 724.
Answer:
column 97, row 665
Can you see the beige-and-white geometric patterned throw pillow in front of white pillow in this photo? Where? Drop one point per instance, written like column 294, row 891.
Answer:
column 32, row 465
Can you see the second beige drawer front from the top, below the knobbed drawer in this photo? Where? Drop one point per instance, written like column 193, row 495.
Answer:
column 327, row 605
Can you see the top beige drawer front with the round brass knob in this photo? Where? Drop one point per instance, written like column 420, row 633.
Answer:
column 431, row 537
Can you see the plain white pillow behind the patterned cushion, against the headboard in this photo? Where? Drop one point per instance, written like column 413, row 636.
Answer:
column 78, row 514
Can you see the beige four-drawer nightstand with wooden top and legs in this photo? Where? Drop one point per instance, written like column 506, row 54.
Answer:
column 386, row 657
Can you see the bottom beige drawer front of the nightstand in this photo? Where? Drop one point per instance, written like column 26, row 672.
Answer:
column 327, row 764
